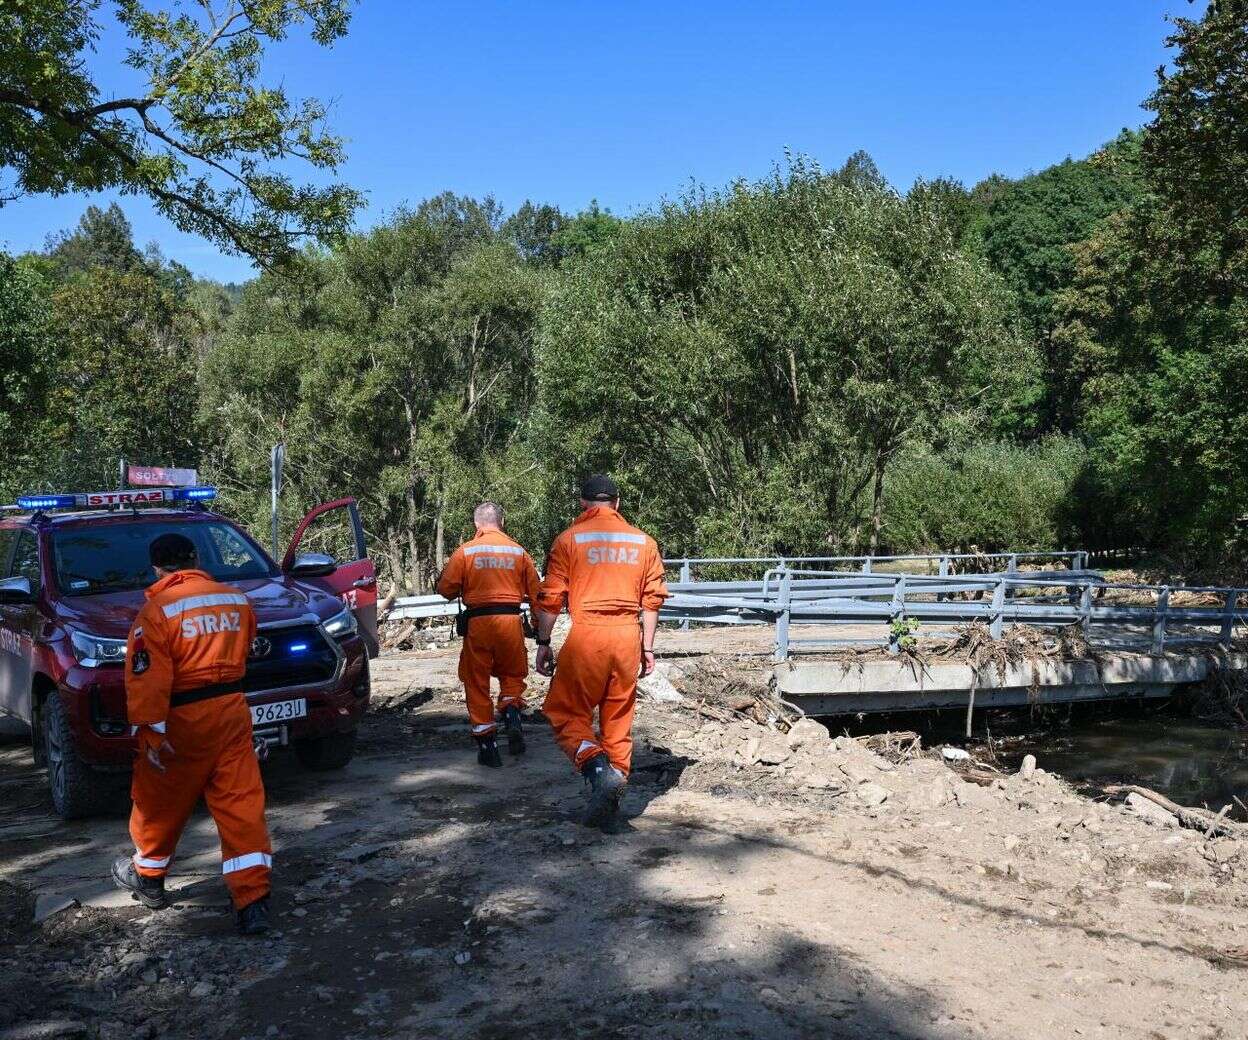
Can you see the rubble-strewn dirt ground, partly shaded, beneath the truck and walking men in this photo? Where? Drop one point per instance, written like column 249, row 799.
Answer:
column 777, row 882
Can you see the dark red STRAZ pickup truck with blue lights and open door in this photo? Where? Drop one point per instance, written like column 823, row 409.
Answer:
column 72, row 584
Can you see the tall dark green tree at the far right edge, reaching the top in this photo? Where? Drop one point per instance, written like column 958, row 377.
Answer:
column 1156, row 316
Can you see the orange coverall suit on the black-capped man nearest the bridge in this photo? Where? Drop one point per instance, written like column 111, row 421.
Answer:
column 607, row 572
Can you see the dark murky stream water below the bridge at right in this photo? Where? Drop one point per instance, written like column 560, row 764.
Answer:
column 1190, row 762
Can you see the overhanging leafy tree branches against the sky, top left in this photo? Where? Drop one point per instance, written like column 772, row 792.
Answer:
column 203, row 137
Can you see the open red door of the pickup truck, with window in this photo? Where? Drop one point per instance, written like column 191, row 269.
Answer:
column 330, row 542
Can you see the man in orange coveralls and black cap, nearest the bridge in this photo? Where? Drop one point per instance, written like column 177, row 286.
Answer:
column 606, row 572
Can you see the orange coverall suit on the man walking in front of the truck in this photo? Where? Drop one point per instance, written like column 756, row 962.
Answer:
column 195, row 632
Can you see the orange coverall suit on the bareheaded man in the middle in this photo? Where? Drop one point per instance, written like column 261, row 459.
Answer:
column 489, row 570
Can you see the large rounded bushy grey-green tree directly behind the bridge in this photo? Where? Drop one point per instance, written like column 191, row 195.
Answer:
column 752, row 361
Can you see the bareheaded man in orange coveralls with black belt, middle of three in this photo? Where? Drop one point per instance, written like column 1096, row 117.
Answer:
column 494, row 575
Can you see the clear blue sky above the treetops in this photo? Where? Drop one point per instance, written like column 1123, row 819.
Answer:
column 627, row 103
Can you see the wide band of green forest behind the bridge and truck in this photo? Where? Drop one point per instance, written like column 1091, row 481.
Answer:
column 817, row 363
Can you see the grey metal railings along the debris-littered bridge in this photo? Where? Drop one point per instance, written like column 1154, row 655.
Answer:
column 788, row 597
